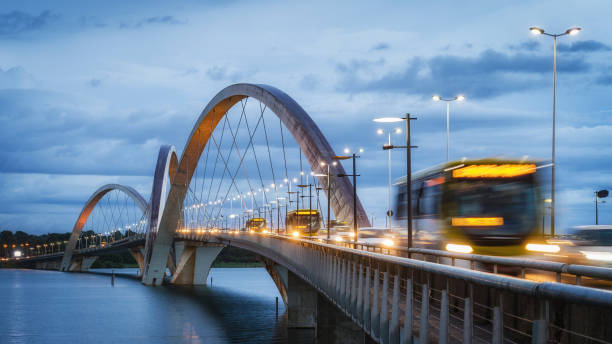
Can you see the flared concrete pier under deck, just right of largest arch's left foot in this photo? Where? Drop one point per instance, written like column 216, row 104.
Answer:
column 194, row 262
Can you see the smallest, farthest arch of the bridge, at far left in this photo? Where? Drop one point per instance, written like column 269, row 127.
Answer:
column 84, row 215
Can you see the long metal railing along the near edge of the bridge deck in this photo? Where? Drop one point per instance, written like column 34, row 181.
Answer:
column 397, row 299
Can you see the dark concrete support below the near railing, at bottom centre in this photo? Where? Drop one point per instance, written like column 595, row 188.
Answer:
column 312, row 318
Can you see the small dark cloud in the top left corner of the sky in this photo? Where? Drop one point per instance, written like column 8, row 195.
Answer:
column 17, row 22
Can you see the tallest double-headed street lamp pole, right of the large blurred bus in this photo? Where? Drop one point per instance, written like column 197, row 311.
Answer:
column 537, row 31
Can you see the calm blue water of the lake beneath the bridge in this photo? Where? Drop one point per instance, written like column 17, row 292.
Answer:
column 52, row 307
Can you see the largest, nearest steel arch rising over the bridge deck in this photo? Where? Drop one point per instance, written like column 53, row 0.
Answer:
column 298, row 122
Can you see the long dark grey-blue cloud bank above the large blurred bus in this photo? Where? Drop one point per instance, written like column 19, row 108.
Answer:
column 489, row 74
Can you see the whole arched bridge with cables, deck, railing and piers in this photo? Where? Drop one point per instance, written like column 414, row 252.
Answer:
column 334, row 291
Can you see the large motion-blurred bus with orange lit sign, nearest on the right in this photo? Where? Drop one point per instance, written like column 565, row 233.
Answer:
column 488, row 206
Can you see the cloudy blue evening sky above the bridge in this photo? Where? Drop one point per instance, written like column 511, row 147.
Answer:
column 90, row 90
